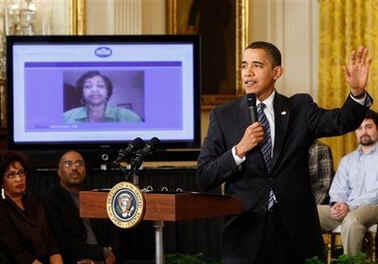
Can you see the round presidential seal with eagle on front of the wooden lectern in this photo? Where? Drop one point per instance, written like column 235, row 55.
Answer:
column 125, row 205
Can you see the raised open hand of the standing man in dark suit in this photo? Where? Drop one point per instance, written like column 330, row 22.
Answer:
column 357, row 71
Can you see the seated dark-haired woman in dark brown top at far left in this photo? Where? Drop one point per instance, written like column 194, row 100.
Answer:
column 24, row 232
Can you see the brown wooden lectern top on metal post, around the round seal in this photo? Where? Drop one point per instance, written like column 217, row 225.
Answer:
column 160, row 207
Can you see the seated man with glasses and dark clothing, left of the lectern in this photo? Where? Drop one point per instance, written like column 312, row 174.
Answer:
column 75, row 236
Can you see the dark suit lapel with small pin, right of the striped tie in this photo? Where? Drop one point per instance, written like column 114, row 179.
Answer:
column 281, row 116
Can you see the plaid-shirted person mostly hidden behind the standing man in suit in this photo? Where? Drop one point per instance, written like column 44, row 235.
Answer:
column 321, row 170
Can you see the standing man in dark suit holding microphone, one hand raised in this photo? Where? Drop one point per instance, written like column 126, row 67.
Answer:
column 265, row 163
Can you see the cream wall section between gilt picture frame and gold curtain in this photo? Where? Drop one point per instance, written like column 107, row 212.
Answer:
column 293, row 26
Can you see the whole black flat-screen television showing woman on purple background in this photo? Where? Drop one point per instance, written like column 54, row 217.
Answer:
column 151, row 86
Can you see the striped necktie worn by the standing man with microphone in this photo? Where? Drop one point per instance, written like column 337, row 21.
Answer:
column 266, row 149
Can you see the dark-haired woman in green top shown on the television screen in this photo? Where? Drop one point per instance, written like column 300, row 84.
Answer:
column 95, row 90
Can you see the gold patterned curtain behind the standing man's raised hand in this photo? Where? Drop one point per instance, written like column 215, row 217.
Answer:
column 344, row 26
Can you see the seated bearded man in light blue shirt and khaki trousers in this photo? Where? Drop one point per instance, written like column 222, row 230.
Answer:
column 353, row 193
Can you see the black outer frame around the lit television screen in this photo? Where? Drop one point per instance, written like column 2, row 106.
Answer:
column 104, row 39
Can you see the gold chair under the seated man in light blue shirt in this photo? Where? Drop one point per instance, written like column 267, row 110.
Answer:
column 332, row 239
